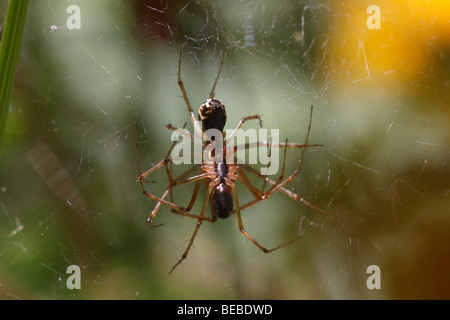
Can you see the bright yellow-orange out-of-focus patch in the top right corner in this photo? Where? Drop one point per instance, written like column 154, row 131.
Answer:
column 409, row 43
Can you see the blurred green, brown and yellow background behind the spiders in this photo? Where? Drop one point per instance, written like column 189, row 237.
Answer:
column 381, row 109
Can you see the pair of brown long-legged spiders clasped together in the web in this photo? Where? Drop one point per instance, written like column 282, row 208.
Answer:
column 220, row 177
